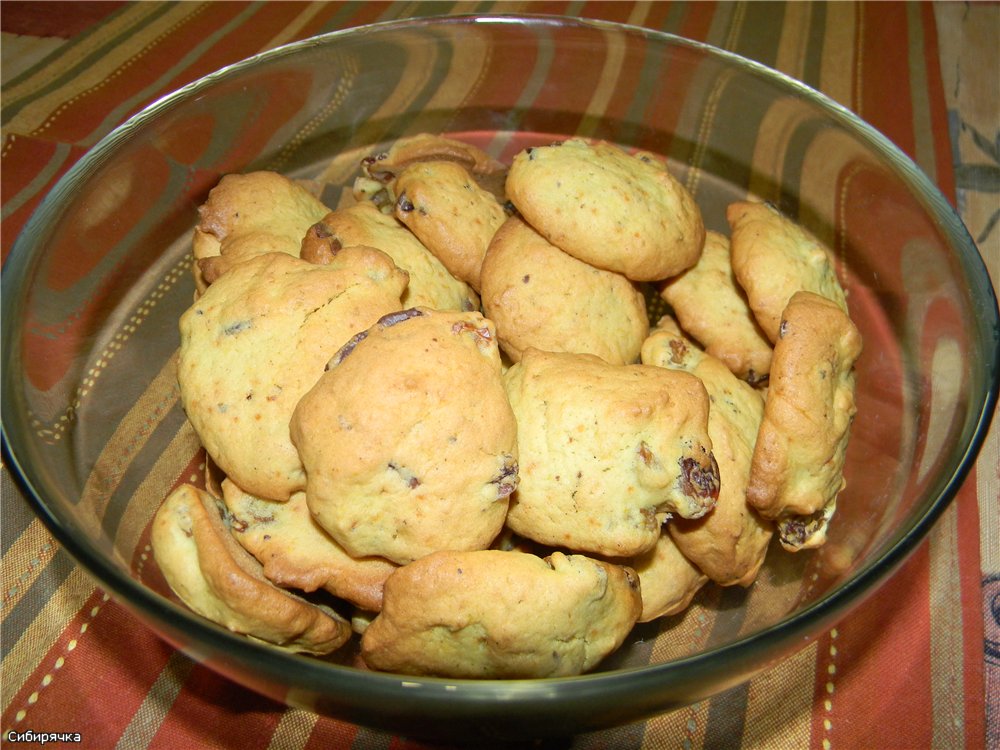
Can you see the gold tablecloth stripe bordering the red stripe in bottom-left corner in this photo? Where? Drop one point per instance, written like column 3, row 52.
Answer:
column 24, row 656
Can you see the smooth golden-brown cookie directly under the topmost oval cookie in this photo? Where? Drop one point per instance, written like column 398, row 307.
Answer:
column 541, row 297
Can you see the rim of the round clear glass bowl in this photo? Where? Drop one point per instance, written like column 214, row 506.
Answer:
column 824, row 611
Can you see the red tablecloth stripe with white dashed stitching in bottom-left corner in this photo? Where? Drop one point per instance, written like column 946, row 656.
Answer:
column 92, row 671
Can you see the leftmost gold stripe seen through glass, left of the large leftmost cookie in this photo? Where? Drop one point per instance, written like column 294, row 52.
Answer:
column 129, row 437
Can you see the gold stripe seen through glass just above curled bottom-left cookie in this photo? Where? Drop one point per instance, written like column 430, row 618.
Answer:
column 154, row 488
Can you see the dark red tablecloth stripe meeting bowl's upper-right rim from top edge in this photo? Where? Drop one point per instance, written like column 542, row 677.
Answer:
column 886, row 97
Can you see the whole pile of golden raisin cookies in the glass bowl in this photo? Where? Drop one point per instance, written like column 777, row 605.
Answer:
column 442, row 403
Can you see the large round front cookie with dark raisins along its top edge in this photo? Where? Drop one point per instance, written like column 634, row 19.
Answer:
column 408, row 441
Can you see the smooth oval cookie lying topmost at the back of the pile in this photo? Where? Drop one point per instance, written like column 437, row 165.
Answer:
column 614, row 210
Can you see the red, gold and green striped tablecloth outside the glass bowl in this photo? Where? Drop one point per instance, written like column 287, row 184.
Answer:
column 909, row 669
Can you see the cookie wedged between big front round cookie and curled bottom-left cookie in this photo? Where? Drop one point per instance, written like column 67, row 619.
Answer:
column 295, row 552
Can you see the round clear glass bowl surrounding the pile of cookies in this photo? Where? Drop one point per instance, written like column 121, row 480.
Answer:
column 95, row 284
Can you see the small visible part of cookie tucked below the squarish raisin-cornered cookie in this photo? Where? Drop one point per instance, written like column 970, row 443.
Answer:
column 667, row 579
